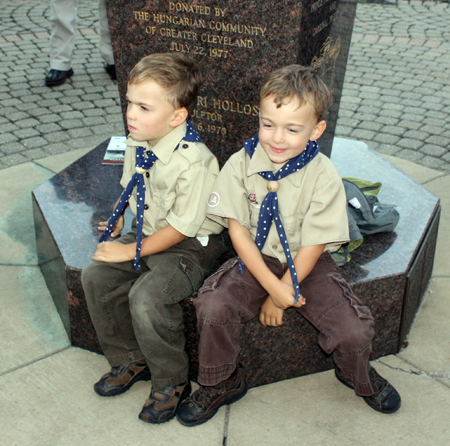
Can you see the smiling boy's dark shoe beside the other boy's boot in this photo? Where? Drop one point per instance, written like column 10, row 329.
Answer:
column 204, row 403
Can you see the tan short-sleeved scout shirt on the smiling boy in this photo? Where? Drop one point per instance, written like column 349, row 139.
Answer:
column 312, row 202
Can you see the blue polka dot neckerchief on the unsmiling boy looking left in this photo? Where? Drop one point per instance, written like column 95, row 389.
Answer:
column 144, row 162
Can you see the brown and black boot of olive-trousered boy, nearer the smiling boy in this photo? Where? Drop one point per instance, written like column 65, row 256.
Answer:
column 162, row 405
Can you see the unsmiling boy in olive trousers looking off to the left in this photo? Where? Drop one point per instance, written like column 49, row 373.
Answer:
column 134, row 285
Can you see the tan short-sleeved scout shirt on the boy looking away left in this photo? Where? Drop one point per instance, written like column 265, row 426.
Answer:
column 177, row 186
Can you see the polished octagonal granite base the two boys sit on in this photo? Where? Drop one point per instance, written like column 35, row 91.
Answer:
column 389, row 272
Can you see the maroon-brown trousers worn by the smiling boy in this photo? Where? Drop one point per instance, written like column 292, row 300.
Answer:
column 229, row 298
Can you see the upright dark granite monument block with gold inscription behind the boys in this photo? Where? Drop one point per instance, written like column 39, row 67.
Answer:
column 237, row 43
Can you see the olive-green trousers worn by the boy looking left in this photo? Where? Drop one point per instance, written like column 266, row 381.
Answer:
column 137, row 314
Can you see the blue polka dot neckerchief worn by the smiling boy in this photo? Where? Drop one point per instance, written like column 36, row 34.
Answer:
column 269, row 207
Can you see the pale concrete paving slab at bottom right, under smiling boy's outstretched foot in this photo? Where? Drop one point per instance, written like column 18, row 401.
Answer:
column 318, row 410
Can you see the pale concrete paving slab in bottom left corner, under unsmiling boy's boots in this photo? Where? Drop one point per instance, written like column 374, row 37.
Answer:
column 52, row 403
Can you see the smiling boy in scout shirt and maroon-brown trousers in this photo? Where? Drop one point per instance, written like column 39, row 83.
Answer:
column 285, row 206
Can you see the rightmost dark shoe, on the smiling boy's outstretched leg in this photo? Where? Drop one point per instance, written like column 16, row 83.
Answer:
column 385, row 400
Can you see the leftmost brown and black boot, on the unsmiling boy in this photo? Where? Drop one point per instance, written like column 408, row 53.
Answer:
column 121, row 378
